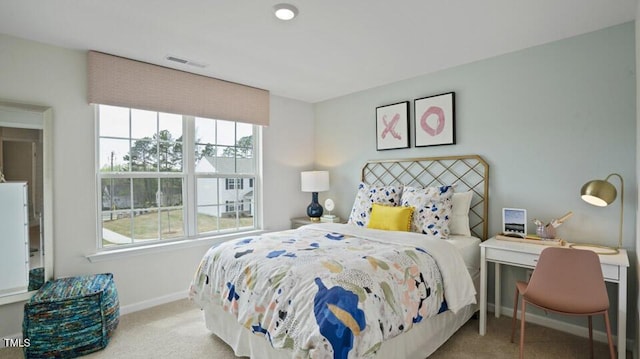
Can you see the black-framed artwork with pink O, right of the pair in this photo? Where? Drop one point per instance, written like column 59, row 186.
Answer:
column 434, row 120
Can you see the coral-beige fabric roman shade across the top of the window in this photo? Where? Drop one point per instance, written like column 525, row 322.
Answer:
column 123, row 82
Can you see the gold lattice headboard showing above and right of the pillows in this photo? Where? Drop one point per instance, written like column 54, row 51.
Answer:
column 467, row 173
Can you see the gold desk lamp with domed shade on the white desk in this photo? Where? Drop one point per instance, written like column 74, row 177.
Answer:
column 602, row 193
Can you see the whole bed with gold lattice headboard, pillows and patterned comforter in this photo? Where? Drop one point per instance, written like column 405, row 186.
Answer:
column 357, row 290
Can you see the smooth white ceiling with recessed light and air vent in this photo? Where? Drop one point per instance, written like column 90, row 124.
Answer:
column 333, row 48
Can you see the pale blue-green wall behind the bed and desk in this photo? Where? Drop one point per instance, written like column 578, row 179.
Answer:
column 547, row 119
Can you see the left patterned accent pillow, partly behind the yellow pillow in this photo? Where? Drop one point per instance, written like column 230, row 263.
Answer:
column 366, row 196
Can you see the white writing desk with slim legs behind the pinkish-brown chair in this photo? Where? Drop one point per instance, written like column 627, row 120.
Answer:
column 614, row 269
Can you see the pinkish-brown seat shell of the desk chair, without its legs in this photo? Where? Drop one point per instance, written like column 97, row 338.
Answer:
column 569, row 281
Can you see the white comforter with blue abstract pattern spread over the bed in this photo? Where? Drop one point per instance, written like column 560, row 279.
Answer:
column 333, row 290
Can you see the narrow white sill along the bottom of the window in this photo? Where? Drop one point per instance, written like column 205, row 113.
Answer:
column 114, row 254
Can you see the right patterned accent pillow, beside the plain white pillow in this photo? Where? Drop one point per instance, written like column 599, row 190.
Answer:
column 432, row 209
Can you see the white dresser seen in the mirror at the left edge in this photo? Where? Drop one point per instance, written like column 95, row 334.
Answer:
column 14, row 238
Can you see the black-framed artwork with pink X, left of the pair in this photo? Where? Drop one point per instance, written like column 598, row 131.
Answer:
column 392, row 126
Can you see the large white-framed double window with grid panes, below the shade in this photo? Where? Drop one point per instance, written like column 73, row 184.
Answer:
column 172, row 177
